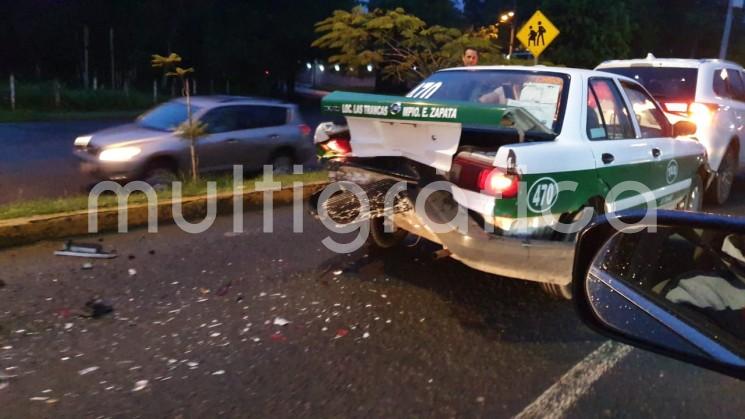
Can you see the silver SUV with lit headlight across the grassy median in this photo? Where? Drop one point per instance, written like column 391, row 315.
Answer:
column 240, row 130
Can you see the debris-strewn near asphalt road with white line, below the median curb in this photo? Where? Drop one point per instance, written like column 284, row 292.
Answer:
column 196, row 332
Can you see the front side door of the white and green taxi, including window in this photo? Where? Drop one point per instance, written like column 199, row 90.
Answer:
column 669, row 163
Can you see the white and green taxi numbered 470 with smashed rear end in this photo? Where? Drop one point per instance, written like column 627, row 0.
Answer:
column 523, row 151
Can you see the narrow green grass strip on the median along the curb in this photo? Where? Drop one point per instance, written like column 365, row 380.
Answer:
column 23, row 209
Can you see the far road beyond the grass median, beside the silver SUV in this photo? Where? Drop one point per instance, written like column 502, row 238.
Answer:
column 36, row 159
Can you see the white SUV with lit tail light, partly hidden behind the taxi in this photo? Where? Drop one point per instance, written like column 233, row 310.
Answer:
column 710, row 92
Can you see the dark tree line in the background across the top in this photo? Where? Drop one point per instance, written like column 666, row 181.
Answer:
column 264, row 42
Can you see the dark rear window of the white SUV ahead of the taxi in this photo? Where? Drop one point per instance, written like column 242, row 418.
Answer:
column 664, row 83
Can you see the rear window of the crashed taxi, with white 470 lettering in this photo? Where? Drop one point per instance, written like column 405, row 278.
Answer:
column 542, row 94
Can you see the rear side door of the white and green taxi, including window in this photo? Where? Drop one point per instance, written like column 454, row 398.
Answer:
column 619, row 155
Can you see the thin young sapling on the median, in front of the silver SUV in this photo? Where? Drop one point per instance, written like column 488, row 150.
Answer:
column 190, row 129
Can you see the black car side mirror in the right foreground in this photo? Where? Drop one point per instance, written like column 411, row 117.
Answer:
column 672, row 282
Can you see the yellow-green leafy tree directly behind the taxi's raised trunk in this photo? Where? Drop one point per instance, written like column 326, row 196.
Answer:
column 401, row 45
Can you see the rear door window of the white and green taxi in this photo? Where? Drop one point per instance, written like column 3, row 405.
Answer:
column 607, row 116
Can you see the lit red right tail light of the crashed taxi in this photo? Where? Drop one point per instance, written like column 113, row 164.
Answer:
column 482, row 177
